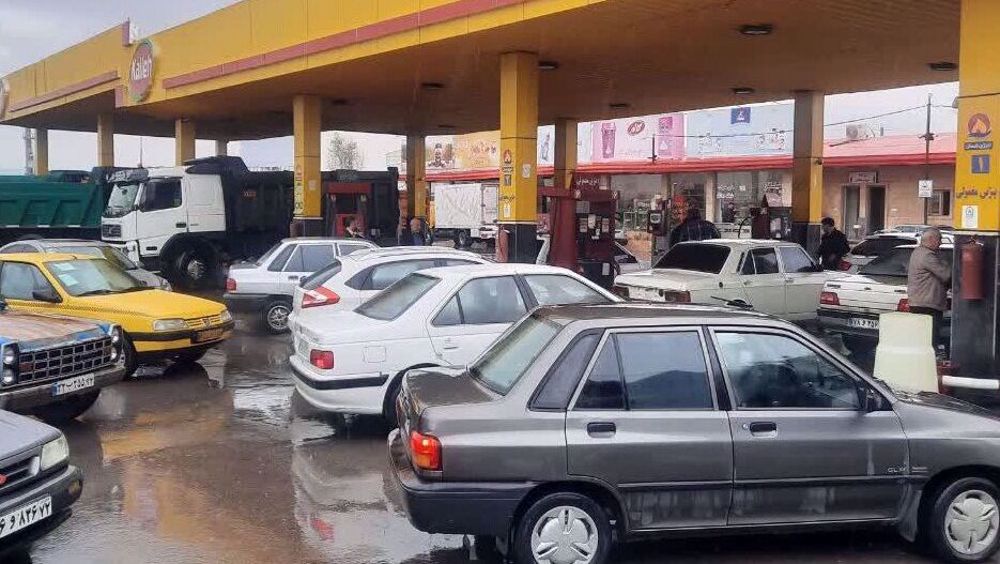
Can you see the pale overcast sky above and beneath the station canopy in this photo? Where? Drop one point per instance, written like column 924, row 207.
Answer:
column 33, row 29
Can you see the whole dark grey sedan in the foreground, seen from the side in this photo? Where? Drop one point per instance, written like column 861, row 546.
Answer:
column 567, row 435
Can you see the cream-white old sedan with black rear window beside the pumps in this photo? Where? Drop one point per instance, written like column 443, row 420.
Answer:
column 774, row 277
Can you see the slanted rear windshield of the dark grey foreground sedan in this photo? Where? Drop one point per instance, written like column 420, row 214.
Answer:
column 503, row 364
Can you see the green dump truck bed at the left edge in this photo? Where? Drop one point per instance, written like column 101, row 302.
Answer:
column 61, row 204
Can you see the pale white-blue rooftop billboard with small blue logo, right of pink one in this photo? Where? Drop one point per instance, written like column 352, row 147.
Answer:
column 757, row 130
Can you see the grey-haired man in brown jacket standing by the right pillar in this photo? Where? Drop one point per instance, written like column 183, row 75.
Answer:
column 928, row 278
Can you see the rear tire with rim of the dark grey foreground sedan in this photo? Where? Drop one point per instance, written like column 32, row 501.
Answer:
column 589, row 530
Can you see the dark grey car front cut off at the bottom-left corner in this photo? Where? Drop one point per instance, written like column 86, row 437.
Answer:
column 39, row 483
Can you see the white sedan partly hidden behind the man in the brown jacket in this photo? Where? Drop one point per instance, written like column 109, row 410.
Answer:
column 850, row 306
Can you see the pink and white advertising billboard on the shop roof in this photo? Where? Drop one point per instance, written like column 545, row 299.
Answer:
column 635, row 139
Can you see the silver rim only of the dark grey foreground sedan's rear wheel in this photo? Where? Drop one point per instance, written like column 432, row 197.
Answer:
column 564, row 535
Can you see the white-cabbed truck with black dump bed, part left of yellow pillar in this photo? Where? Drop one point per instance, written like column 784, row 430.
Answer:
column 189, row 221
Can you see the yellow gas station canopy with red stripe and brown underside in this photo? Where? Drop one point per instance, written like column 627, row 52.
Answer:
column 425, row 67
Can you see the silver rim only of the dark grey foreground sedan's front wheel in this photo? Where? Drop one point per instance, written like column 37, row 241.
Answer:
column 971, row 523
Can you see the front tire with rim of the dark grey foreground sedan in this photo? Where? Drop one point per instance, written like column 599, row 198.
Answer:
column 964, row 521
